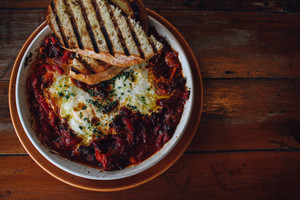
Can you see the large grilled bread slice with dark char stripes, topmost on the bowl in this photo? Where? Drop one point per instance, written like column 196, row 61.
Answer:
column 99, row 30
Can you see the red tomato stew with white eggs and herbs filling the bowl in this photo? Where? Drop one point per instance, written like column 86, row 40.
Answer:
column 113, row 124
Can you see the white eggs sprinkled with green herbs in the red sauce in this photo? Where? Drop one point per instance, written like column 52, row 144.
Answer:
column 133, row 88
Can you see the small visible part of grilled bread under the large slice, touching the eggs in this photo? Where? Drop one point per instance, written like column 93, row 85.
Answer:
column 92, row 71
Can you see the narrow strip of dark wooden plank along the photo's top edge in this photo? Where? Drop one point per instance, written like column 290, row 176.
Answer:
column 226, row 5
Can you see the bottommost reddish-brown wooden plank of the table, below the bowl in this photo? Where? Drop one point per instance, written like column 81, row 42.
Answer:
column 249, row 175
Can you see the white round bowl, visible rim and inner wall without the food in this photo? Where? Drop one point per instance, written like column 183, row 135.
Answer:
column 80, row 169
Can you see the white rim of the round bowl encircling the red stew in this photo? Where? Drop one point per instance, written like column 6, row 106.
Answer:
column 131, row 170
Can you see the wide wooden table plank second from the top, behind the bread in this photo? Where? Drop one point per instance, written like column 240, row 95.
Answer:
column 226, row 44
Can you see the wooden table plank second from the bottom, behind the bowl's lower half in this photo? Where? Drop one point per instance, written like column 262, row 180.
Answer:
column 237, row 114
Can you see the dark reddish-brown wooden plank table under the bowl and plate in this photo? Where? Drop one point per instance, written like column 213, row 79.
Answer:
column 248, row 143
